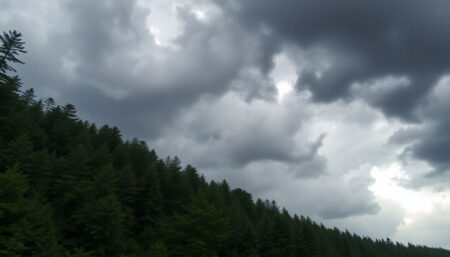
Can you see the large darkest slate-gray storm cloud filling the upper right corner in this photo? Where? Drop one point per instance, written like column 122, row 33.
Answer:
column 364, row 40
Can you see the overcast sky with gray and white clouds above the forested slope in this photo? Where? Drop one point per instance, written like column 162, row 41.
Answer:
column 337, row 110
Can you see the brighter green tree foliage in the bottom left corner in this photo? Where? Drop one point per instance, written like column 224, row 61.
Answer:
column 26, row 225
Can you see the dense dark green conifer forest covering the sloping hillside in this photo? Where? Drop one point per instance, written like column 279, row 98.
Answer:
column 70, row 188
